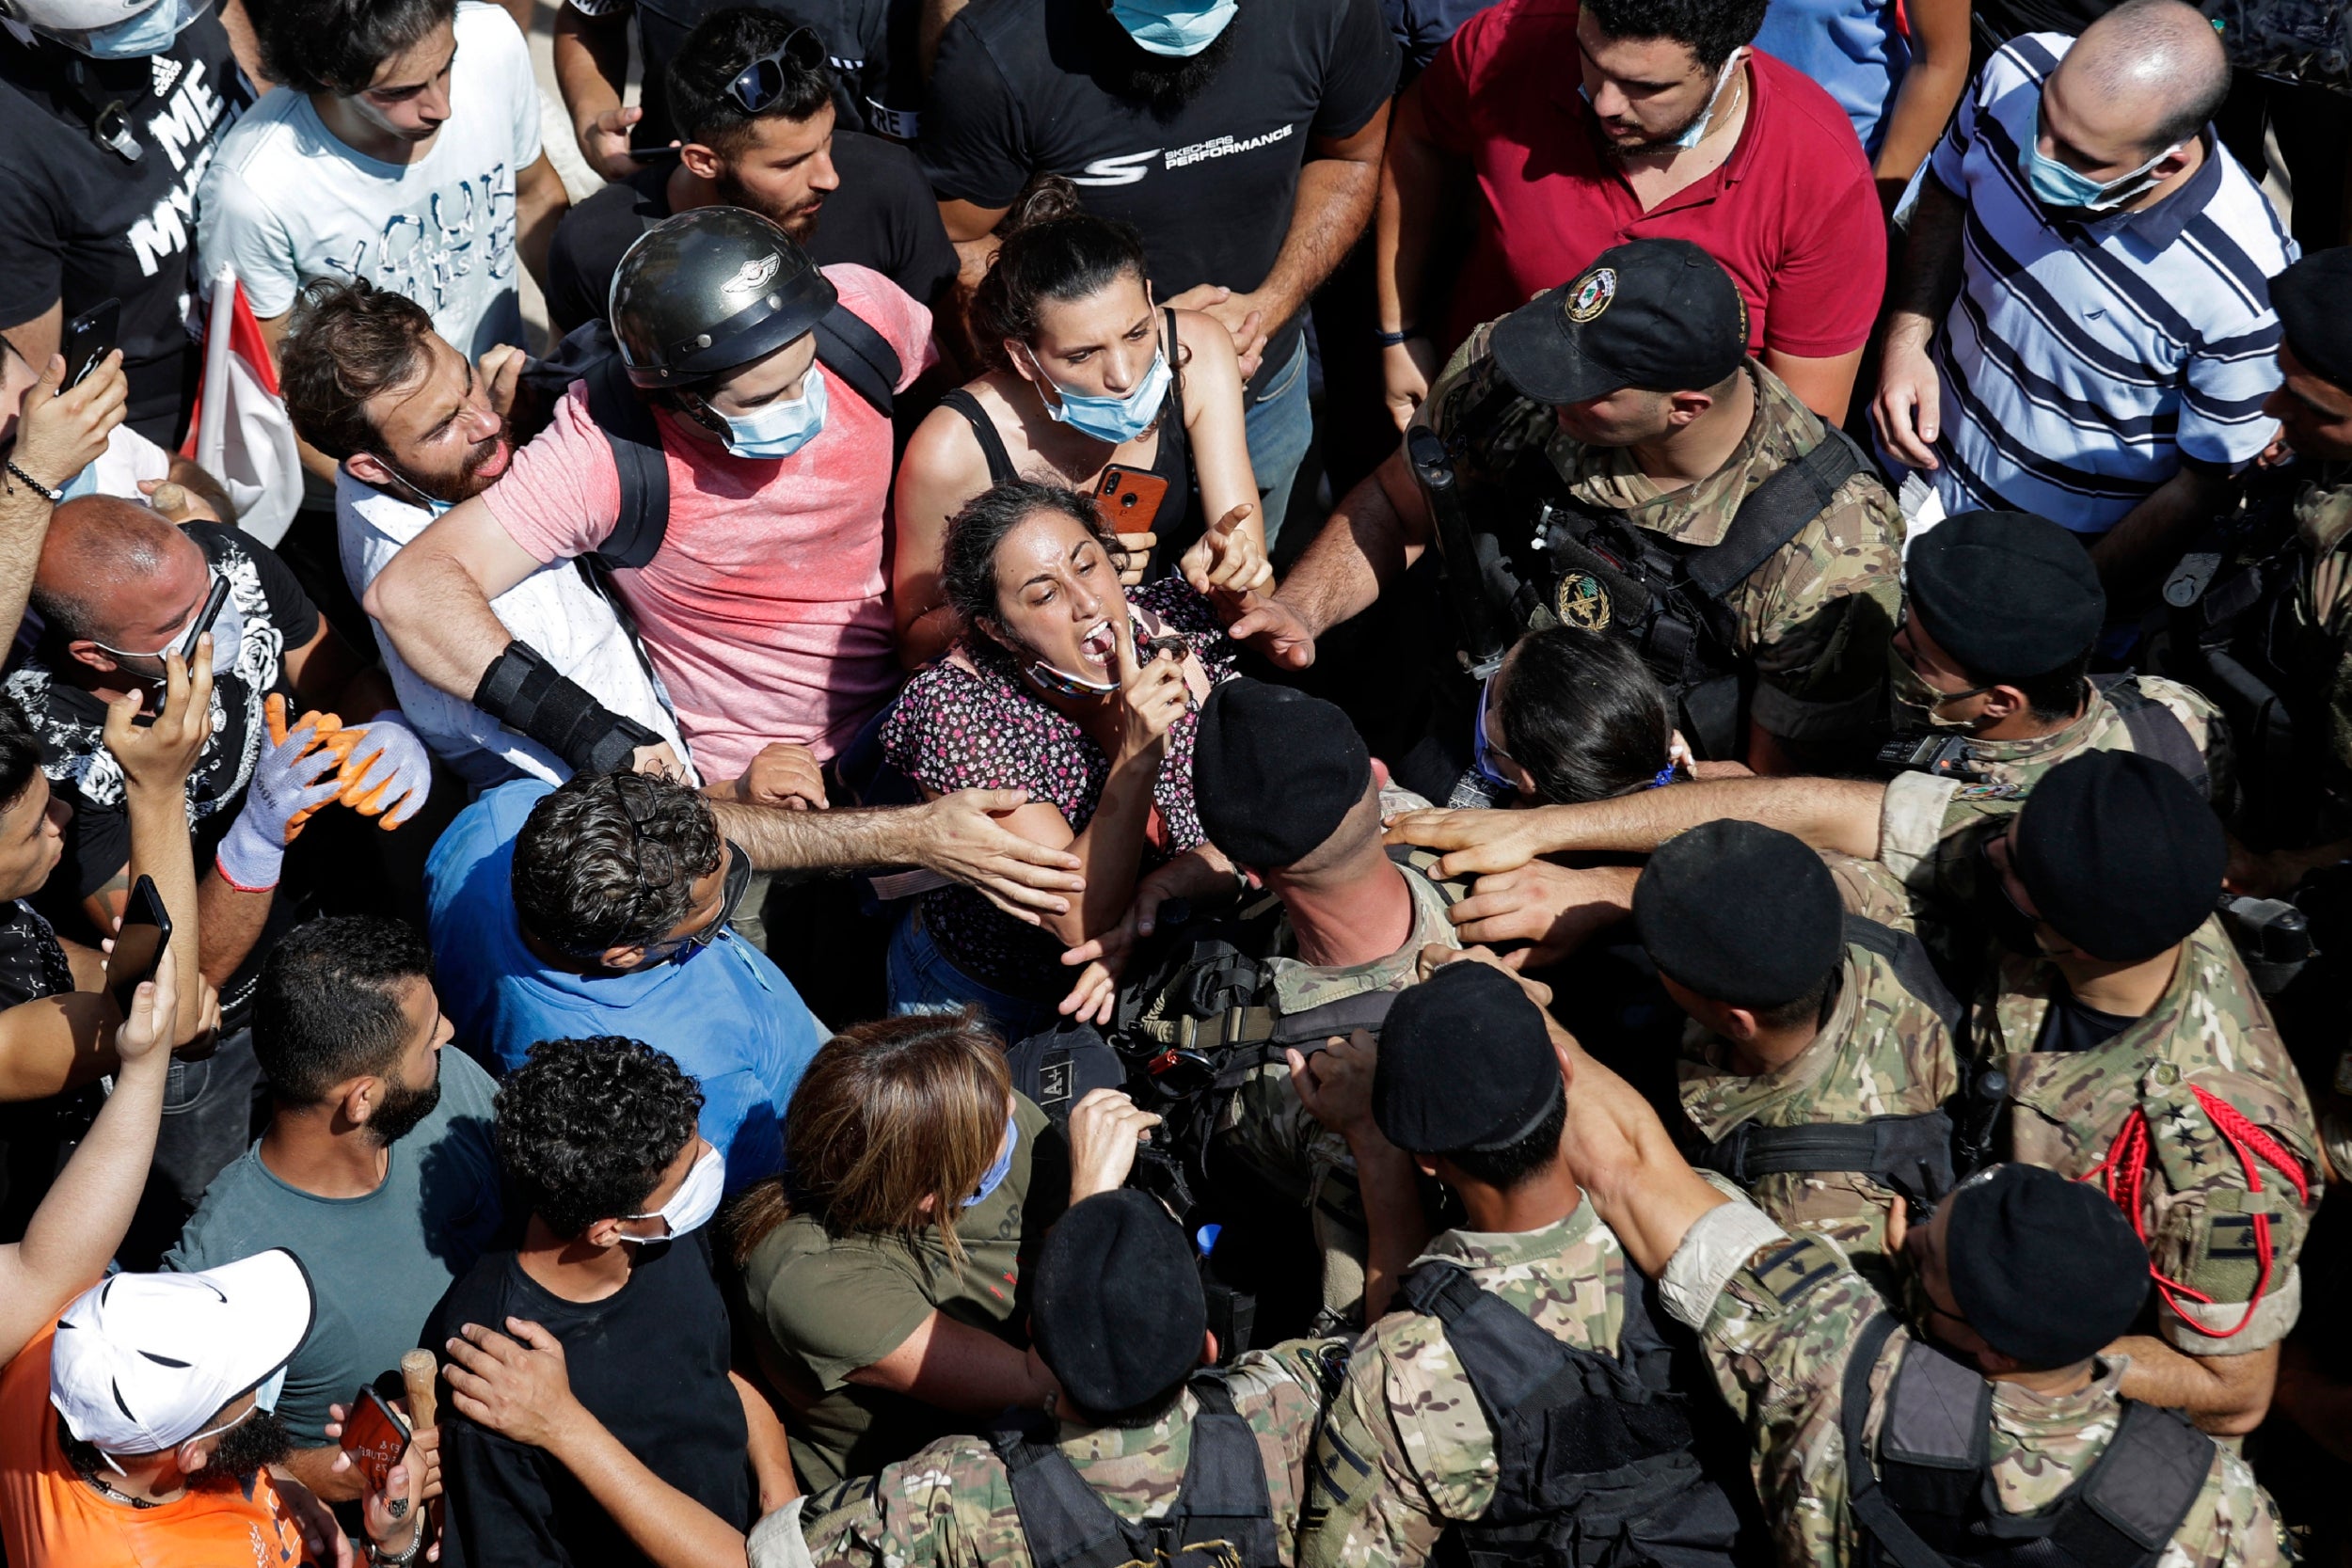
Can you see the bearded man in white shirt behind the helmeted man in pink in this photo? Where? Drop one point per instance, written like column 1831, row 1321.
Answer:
column 415, row 431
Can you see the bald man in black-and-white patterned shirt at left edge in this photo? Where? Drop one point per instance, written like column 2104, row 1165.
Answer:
column 119, row 587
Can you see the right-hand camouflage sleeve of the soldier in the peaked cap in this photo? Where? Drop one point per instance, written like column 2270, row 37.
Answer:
column 1819, row 617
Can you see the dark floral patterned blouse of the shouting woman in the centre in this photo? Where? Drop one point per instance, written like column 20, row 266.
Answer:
column 987, row 730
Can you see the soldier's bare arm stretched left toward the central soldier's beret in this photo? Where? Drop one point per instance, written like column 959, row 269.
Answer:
column 1836, row 815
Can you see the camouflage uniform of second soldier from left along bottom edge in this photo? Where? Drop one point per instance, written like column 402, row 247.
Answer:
column 1405, row 1447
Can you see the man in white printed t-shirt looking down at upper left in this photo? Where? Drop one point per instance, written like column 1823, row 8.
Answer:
column 403, row 149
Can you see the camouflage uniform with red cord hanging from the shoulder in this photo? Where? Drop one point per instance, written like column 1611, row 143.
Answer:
column 2210, row 1031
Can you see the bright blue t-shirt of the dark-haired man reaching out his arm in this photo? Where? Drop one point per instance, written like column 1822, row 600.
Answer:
column 723, row 1014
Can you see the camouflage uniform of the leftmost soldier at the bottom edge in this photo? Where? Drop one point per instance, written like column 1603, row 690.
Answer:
column 951, row 1506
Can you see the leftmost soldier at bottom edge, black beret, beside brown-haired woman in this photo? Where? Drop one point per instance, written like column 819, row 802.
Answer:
column 1121, row 1325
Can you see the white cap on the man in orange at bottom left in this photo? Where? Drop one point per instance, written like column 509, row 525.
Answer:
column 142, row 1362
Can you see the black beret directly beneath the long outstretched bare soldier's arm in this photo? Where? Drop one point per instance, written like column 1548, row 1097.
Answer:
column 1739, row 913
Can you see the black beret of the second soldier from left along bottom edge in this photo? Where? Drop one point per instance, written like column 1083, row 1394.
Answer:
column 1464, row 1064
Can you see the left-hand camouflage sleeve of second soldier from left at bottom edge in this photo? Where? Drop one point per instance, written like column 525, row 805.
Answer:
column 1403, row 1452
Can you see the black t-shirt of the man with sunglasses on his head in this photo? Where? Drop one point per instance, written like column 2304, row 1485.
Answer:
column 883, row 217
